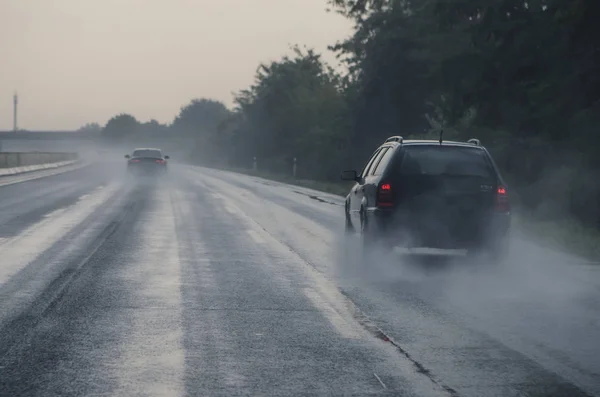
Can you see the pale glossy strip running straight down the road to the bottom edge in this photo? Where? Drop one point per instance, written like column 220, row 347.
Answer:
column 151, row 359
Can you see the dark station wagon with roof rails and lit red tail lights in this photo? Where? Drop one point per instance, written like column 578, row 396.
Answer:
column 430, row 194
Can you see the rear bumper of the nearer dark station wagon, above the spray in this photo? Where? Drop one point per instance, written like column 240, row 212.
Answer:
column 405, row 230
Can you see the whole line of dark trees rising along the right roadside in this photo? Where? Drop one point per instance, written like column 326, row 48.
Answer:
column 520, row 76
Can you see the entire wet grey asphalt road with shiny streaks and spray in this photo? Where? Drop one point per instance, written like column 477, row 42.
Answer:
column 212, row 283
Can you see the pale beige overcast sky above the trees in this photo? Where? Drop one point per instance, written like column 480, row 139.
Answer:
column 79, row 61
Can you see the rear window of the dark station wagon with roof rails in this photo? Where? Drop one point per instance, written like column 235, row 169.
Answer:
column 445, row 160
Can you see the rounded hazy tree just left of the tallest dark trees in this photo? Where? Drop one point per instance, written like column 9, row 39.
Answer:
column 295, row 108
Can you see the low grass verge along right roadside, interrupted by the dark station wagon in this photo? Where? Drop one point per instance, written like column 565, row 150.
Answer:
column 561, row 235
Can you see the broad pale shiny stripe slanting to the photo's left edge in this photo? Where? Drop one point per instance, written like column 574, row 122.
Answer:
column 17, row 252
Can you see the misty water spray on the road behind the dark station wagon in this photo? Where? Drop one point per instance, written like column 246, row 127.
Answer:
column 538, row 301
